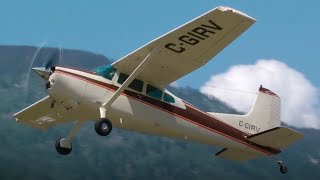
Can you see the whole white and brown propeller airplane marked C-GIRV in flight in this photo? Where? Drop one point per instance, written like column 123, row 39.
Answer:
column 130, row 94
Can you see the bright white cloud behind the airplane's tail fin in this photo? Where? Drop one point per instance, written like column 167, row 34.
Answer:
column 299, row 98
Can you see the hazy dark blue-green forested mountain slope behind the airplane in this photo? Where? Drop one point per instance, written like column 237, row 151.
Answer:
column 26, row 153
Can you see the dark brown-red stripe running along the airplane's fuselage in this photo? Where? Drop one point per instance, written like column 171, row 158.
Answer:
column 191, row 114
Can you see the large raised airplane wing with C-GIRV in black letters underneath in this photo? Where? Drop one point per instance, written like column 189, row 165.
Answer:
column 187, row 47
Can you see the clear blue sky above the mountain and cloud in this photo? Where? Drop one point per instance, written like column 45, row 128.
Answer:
column 286, row 30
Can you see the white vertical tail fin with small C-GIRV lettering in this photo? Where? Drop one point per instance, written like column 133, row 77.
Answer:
column 264, row 115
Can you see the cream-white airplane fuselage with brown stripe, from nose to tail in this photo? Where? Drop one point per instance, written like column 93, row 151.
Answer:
column 136, row 111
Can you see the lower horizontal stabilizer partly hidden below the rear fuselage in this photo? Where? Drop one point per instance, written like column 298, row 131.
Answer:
column 236, row 154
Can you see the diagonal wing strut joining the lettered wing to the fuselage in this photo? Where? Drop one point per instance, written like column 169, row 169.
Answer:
column 126, row 83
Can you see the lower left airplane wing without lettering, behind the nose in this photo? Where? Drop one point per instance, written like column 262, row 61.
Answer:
column 43, row 114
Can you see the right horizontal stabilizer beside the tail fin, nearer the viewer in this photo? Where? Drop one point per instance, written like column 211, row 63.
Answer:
column 279, row 137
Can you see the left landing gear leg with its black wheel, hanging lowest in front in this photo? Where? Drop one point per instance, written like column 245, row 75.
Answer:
column 64, row 145
